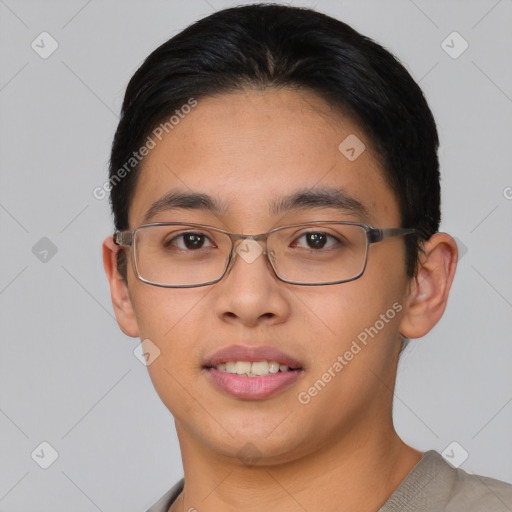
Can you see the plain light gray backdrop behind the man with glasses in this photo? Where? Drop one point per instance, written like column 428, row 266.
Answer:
column 68, row 374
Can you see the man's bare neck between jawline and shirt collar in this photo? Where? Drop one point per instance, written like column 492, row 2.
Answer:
column 358, row 472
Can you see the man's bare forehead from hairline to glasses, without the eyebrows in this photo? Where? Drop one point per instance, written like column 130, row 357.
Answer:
column 250, row 149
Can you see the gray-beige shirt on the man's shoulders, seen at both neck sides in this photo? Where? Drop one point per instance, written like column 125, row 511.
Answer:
column 432, row 485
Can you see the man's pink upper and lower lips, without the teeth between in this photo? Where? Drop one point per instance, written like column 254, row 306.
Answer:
column 252, row 388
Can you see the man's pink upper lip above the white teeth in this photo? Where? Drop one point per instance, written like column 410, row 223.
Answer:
column 252, row 355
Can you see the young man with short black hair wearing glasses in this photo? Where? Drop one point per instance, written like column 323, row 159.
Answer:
column 275, row 188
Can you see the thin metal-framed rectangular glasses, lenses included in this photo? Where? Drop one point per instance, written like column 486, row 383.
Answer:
column 177, row 255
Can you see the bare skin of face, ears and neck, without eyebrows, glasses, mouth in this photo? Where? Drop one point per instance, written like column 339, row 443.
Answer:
column 341, row 451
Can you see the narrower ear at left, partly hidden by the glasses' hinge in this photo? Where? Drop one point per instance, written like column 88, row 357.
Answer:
column 121, row 301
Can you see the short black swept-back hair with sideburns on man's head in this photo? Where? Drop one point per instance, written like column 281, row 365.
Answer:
column 267, row 45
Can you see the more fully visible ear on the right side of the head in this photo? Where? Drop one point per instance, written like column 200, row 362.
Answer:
column 430, row 287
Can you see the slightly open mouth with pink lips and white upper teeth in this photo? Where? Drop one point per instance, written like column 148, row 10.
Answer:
column 252, row 373
